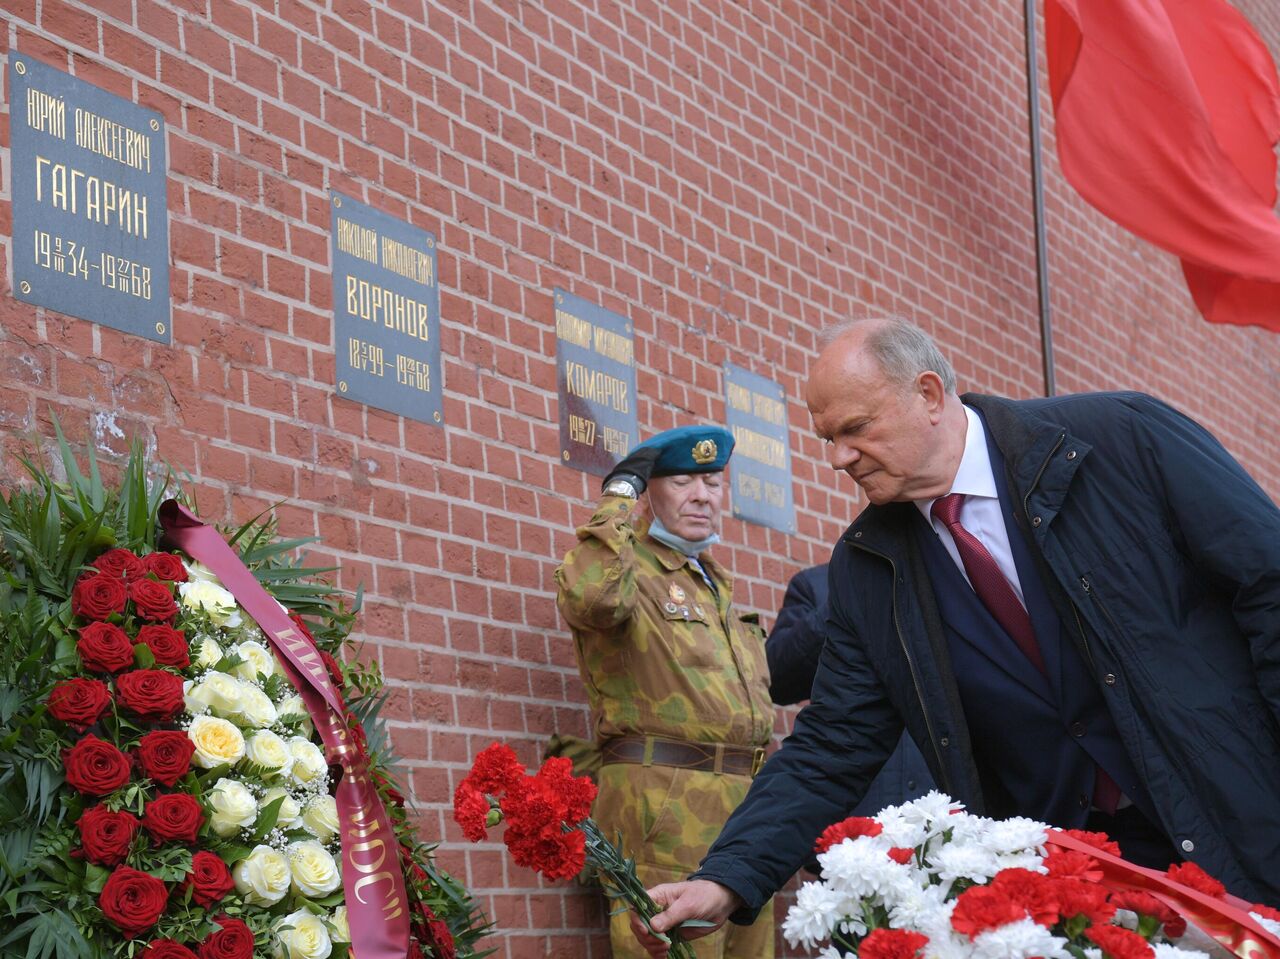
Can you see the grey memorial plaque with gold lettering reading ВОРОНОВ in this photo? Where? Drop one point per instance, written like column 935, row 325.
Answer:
column 386, row 312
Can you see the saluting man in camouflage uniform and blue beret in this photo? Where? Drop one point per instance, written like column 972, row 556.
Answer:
column 676, row 677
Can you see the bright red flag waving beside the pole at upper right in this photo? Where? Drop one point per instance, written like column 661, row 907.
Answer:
column 1168, row 113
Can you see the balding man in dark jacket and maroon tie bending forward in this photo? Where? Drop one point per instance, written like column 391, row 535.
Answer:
column 1072, row 605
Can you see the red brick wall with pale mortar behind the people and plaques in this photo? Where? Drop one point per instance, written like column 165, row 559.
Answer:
column 729, row 176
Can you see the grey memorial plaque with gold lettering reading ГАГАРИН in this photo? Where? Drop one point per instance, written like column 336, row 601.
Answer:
column 90, row 211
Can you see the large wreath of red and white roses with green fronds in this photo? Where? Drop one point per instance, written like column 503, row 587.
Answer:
column 164, row 793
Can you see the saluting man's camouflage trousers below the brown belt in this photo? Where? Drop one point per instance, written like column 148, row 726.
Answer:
column 668, row 820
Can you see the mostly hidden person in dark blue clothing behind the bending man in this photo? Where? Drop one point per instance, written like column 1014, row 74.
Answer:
column 793, row 650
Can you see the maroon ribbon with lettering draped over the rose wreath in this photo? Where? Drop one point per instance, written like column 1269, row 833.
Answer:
column 372, row 878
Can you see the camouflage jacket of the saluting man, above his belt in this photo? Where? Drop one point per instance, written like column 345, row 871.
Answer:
column 661, row 654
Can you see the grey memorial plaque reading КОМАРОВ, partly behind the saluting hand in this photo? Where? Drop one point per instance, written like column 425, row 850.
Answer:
column 596, row 373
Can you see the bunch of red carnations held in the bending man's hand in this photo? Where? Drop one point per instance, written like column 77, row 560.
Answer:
column 550, row 828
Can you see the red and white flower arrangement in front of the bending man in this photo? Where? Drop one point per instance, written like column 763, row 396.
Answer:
column 927, row 880
